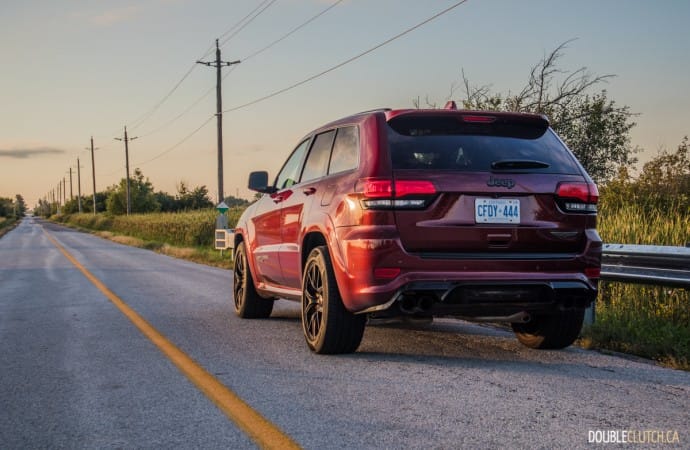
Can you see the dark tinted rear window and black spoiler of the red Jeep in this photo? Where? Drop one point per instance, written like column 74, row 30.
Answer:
column 445, row 143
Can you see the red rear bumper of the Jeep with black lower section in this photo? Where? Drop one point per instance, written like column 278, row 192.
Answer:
column 463, row 285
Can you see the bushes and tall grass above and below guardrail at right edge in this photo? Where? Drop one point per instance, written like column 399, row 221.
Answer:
column 652, row 209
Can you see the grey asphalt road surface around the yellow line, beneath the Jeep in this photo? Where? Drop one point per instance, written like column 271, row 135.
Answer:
column 76, row 373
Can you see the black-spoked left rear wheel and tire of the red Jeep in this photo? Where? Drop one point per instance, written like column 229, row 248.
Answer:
column 328, row 327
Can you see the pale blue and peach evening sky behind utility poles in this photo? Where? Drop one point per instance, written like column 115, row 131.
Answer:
column 73, row 69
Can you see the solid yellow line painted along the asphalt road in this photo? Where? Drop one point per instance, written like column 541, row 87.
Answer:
column 264, row 433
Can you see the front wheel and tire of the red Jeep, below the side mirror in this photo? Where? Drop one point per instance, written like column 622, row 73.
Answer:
column 248, row 303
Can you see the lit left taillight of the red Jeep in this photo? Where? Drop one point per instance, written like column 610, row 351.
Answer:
column 387, row 194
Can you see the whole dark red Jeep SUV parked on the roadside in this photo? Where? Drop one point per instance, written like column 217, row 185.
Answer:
column 484, row 216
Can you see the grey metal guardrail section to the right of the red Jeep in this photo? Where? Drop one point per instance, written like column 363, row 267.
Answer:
column 646, row 264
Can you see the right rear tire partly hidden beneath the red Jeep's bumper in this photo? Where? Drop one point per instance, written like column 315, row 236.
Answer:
column 552, row 331
